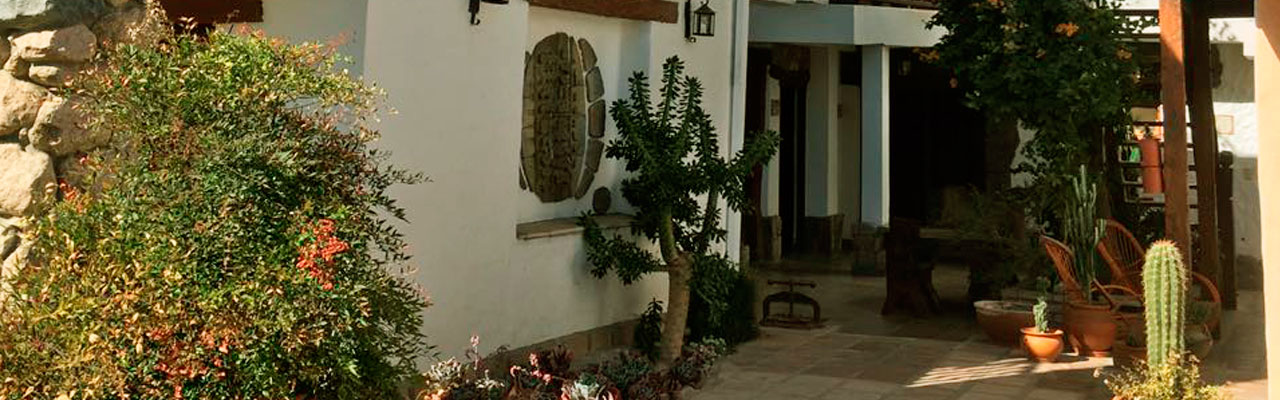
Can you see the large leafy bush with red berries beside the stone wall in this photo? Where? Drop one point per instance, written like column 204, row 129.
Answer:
column 235, row 247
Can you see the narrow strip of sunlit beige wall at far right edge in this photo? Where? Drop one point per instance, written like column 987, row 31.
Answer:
column 1268, row 94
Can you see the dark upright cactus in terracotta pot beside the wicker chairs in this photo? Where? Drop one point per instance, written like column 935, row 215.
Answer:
column 1089, row 321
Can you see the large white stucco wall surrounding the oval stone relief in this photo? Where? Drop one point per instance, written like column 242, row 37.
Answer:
column 459, row 94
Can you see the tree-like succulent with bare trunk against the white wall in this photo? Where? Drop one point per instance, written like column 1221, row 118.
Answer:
column 678, row 180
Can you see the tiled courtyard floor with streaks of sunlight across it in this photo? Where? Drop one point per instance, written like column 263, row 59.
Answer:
column 863, row 356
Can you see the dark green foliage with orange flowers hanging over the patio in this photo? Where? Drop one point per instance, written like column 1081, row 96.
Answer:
column 1059, row 67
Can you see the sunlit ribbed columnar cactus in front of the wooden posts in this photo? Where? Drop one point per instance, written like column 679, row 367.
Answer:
column 1164, row 281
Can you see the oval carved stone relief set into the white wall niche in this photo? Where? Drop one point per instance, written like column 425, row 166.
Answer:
column 564, row 121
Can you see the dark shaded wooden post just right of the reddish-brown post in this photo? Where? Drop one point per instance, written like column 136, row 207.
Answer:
column 1205, row 137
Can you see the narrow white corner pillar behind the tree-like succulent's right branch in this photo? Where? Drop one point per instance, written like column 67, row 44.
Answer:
column 738, row 120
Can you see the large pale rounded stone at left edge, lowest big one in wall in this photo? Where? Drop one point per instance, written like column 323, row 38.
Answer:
column 26, row 179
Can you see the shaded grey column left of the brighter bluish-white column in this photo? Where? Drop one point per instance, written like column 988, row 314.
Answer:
column 822, row 135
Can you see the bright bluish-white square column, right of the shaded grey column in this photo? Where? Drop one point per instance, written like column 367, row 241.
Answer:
column 875, row 135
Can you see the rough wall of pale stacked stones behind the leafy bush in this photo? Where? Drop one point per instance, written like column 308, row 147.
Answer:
column 42, row 139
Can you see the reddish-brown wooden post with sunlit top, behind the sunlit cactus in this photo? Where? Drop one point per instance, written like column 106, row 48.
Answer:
column 1173, row 83
